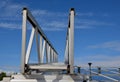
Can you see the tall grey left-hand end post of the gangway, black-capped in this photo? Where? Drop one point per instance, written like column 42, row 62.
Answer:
column 23, row 40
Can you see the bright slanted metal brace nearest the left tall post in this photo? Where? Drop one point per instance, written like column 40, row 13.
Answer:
column 30, row 45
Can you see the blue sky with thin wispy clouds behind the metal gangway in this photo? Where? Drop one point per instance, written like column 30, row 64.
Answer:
column 97, row 29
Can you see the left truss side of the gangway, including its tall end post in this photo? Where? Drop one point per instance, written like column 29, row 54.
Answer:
column 42, row 46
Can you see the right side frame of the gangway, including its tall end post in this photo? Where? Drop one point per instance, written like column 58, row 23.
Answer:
column 69, row 49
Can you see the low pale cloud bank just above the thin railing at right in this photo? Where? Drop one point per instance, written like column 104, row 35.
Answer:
column 99, row 60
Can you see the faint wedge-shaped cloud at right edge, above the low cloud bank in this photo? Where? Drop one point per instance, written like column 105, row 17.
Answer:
column 113, row 45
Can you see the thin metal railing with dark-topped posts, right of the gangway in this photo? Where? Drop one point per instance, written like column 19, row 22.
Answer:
column 104, row 74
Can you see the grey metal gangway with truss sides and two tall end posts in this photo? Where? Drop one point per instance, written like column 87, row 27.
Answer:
column 45, row 48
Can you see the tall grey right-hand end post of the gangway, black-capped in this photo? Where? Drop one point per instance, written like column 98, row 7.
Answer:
column 71, row 41
